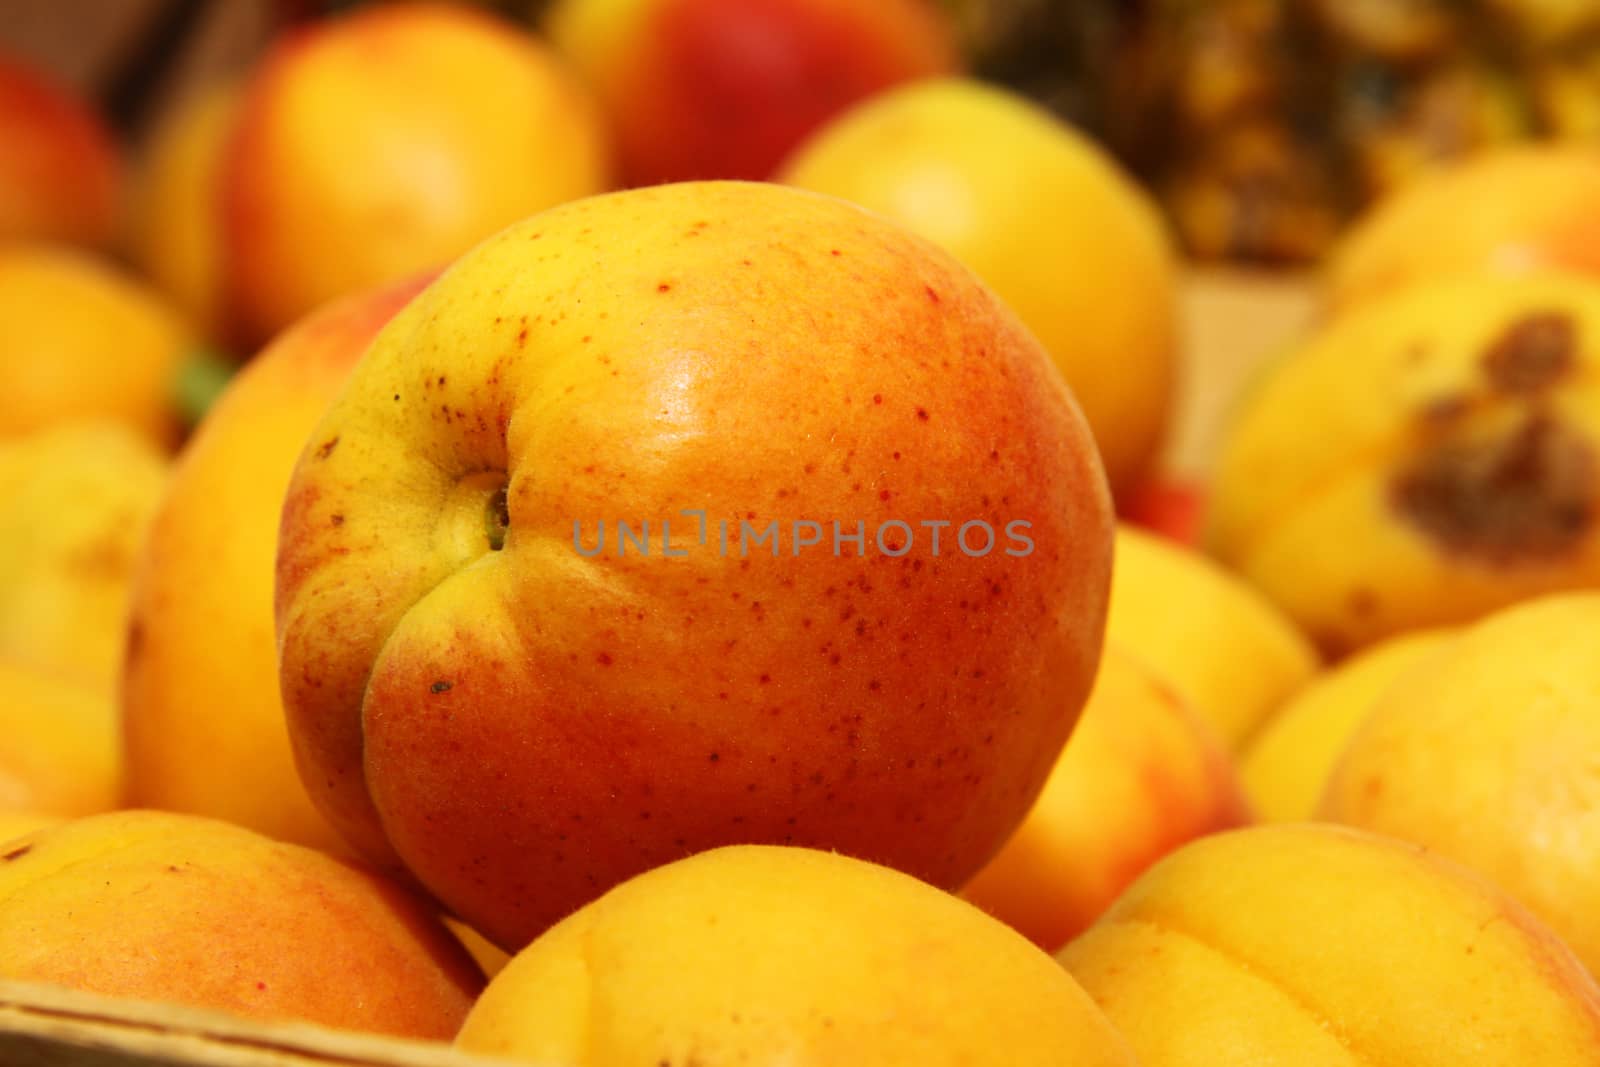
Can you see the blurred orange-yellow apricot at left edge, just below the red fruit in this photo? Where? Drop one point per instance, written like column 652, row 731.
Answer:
column 86, row 342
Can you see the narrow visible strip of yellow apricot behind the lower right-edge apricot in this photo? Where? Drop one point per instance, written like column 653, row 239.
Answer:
column 1289, row 762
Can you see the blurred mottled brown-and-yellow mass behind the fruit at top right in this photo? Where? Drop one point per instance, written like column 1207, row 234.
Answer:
column 1265, row 126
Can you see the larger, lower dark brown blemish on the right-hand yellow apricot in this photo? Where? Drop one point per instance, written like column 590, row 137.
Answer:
column 1518, row 498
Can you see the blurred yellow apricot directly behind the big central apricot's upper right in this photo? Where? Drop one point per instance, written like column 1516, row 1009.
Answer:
column 1007, row 188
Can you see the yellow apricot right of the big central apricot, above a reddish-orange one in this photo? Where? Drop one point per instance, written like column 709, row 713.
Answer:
column 1218, row 644
